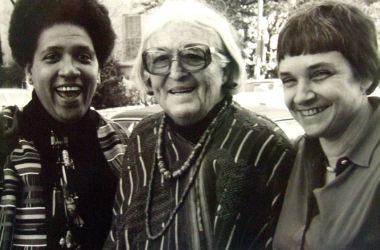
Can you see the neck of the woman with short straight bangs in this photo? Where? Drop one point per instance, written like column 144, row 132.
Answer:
column 338, row 146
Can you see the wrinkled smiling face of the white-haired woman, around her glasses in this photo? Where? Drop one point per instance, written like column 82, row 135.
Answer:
column 187, row 97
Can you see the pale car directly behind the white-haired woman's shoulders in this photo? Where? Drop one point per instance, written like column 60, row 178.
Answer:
column 128, row 119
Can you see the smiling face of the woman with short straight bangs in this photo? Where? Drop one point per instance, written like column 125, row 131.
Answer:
column 321, row 92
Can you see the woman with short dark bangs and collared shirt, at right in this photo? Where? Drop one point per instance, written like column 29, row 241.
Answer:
column 328, row 70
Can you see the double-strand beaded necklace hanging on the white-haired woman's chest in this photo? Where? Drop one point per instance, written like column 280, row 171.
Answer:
column 199, row 150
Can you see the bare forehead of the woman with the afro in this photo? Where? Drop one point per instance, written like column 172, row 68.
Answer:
column 64, row 35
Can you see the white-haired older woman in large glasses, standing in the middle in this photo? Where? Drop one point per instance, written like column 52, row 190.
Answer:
column 204, row 173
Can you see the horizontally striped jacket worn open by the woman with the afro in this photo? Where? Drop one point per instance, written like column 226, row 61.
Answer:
column 22, row 207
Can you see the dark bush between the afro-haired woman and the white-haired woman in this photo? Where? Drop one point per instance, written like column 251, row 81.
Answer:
column 113, row 89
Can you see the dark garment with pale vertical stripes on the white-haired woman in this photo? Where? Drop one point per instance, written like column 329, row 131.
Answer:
column 236, row 198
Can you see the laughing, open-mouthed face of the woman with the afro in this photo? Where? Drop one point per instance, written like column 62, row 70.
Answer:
column 64, row 71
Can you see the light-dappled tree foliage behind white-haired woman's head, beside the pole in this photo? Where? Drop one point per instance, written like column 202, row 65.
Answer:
column 243, row 14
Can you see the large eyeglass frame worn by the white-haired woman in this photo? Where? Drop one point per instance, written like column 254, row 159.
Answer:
column 174, row 57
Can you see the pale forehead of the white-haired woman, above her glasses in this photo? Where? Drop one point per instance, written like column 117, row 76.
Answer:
column 177, row 34
